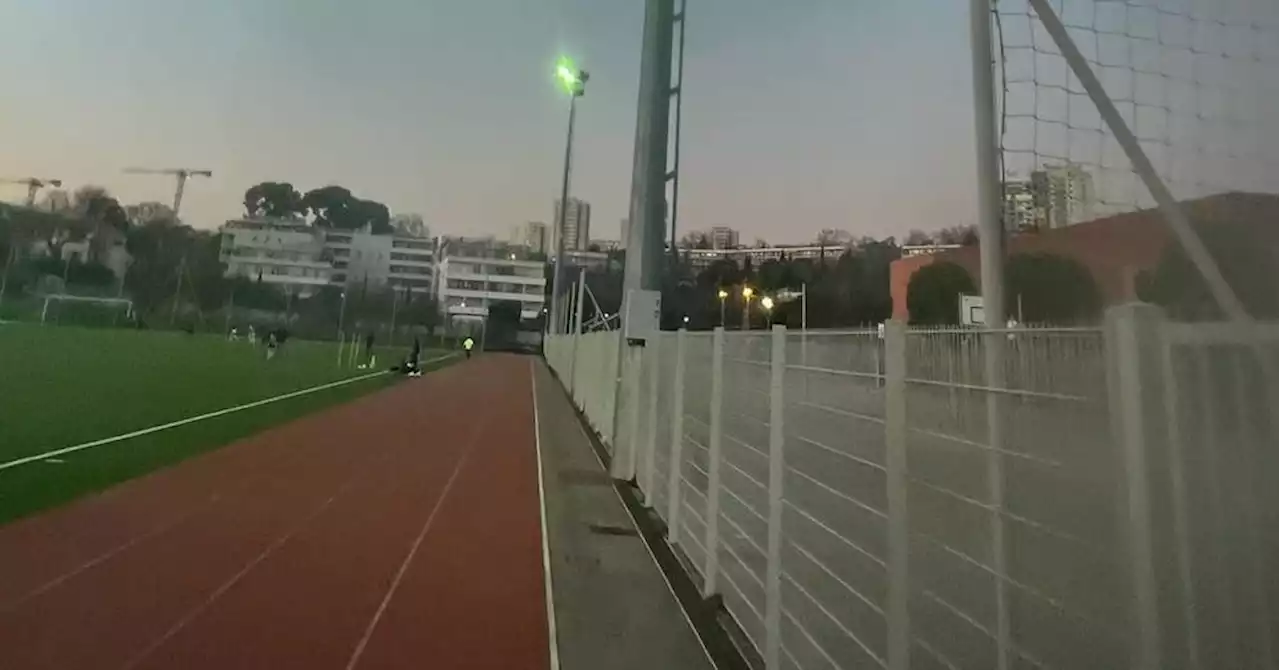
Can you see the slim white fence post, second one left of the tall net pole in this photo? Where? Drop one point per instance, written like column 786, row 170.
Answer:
column 778, row 470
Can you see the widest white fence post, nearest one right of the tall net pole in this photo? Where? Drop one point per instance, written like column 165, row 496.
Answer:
column 1132, row 338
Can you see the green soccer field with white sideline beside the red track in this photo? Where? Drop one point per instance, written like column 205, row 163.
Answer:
column 61, row 388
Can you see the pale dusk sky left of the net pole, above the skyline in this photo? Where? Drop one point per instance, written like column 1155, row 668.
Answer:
column 778, row 140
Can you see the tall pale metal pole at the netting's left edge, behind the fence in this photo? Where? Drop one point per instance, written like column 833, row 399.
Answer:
column 993, row 238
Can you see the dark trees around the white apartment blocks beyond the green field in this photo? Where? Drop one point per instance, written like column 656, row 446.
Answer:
column 175, row 274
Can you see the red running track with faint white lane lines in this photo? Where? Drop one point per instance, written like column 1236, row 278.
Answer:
column 399, row 531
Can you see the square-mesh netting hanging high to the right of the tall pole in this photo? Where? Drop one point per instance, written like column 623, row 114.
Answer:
column 1196, row 81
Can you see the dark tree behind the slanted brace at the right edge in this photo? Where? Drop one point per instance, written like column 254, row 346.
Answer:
column 1249, row 261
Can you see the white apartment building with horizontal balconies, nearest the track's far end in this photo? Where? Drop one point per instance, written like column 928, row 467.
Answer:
column 468, row 285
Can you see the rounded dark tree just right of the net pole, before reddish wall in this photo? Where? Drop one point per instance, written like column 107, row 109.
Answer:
column 1052, row 290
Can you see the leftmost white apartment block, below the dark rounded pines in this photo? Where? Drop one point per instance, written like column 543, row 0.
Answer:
column 287, row 254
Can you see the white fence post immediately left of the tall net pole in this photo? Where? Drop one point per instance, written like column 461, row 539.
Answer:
column 895, row 472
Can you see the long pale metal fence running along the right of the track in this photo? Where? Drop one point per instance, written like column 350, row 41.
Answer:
column 971, row 499
